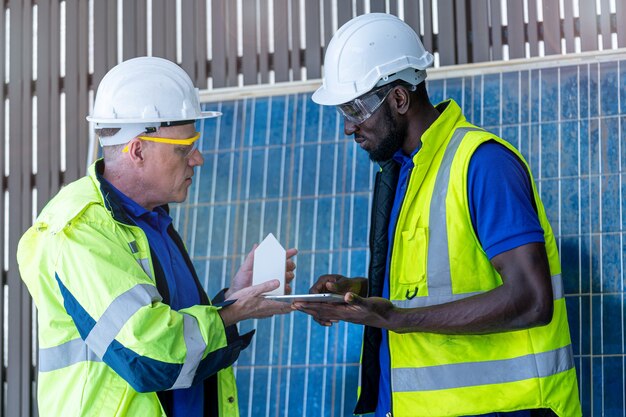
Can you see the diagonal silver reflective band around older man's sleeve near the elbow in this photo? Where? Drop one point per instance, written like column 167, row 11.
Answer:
column 117, row 314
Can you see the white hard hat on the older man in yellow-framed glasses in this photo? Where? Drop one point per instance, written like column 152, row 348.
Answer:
column 145, row 92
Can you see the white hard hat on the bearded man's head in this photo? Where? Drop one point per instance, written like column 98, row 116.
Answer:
column 368, row 51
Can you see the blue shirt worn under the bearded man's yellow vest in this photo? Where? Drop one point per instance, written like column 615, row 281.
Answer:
column 501, row 224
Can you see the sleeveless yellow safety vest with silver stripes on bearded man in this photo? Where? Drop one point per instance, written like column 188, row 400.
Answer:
column 437, row 258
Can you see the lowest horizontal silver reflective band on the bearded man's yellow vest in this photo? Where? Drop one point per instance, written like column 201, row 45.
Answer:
column 470, row 374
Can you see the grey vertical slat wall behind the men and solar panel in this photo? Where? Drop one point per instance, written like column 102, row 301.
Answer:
column 57, row 97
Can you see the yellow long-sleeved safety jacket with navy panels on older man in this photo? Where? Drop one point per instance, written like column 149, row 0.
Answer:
column 108, row 343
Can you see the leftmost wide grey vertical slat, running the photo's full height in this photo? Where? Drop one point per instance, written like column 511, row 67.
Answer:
column 19, row 367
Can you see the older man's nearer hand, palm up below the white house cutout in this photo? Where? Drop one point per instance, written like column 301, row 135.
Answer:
column 251, row 304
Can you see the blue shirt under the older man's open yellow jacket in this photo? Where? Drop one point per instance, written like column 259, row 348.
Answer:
column 183, row 291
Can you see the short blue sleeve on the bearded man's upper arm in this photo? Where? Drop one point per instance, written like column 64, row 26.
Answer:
column 501, row 200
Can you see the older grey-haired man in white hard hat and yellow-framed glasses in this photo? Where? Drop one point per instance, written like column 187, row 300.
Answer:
column 125, row 327
